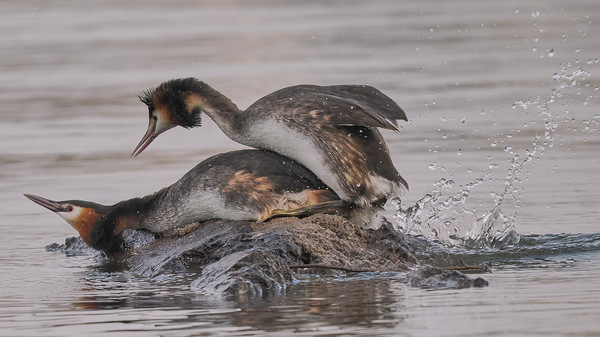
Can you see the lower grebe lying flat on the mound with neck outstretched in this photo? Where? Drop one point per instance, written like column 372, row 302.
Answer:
column 240, row 185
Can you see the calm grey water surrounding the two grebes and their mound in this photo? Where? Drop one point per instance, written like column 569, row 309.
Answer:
column 69, row 119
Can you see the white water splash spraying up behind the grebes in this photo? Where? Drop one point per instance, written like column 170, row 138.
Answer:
column 447, row 219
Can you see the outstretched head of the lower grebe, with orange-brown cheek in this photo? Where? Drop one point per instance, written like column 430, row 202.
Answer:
column 86, row 217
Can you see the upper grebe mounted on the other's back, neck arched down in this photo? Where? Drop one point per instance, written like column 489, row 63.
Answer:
column 332, row 130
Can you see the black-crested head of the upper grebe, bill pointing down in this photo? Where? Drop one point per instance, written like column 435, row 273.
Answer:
column 169, row 105
